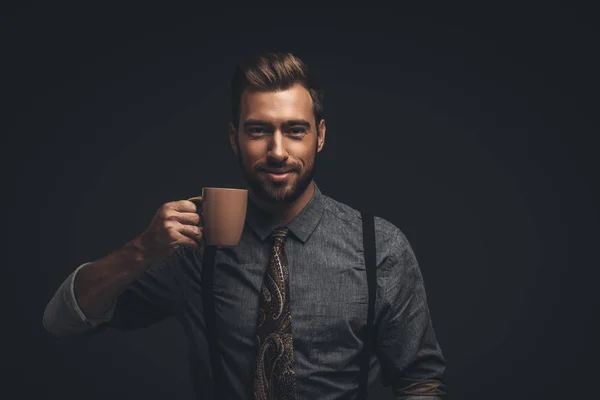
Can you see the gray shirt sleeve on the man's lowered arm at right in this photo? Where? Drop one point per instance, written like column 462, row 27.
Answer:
column 411, row 358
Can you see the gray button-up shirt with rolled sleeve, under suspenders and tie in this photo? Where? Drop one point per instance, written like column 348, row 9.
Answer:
column 329, row 298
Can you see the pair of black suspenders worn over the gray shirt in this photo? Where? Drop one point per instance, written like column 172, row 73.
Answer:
column 208, row 266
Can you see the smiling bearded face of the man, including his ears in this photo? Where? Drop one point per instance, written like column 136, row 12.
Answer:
column 277, row 143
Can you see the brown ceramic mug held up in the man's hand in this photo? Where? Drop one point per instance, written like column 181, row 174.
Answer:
column 223, row 214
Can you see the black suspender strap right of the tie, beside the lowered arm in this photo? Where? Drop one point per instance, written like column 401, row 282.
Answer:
column 368, row 222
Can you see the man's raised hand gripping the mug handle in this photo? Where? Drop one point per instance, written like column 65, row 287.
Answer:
column 175, row 224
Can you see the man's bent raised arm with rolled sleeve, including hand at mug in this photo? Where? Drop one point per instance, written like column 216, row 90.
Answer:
column 122, row 283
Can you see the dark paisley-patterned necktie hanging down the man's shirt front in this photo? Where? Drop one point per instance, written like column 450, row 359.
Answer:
column 275, row 377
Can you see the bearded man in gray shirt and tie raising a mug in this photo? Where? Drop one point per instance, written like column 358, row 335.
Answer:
column 291, row 299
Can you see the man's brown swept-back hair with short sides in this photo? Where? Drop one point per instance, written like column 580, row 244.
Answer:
column 274, row 71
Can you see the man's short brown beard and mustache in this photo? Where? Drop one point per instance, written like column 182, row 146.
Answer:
column 273, row 192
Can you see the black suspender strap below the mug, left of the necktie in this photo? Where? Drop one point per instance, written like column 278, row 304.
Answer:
column 208, row 307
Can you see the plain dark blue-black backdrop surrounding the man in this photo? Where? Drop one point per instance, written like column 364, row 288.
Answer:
column 469, row 128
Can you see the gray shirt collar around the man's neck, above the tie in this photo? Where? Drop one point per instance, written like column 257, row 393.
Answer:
column 302, row 226
